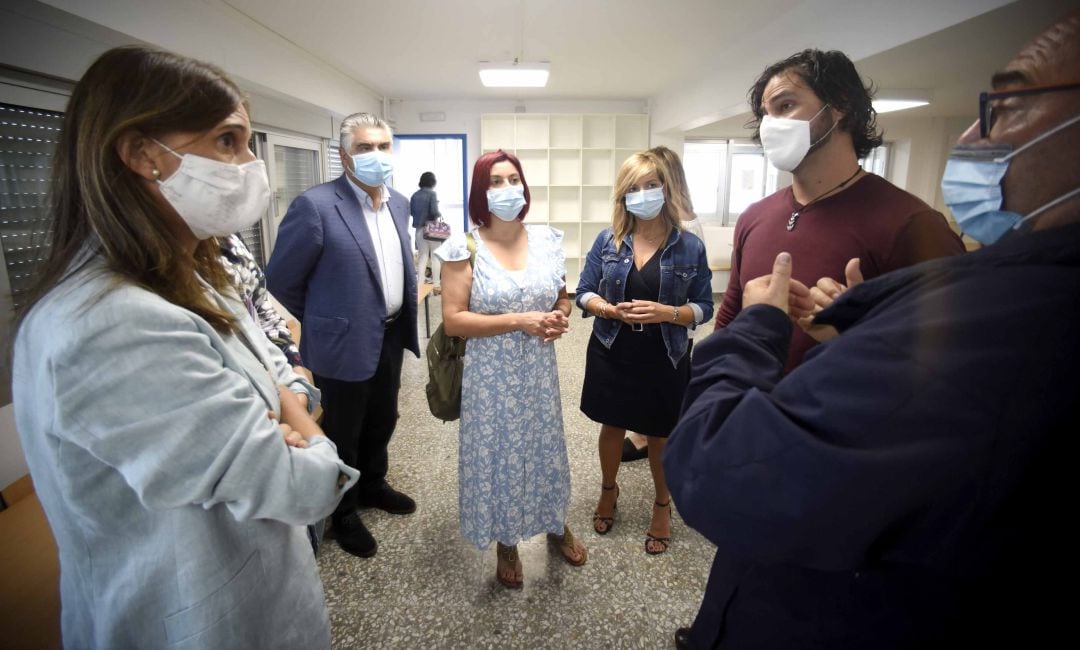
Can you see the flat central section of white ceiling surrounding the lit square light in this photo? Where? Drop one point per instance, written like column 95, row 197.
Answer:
column 598, row 49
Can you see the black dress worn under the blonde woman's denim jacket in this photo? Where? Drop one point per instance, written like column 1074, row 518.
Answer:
column 634, row 386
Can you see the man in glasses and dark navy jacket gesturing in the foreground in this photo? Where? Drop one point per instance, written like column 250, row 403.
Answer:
column 911, row 484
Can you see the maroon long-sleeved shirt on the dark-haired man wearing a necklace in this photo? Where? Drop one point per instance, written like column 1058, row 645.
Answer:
column 882, row 225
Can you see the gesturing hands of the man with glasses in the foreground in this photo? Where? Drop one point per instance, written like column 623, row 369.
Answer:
column 802, row 304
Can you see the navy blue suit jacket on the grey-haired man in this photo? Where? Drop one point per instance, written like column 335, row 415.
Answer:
column 325, row 270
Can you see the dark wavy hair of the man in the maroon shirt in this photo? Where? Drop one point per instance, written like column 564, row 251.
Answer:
column 834, row 79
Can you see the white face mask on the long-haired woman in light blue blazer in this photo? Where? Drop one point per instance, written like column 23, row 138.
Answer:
column 217, row 199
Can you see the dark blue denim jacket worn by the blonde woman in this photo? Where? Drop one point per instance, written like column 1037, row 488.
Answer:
column 685, row 279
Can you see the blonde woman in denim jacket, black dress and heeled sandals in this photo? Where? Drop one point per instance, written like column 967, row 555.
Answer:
column 647, row 281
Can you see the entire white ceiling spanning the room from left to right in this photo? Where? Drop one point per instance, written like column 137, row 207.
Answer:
column 690, row 61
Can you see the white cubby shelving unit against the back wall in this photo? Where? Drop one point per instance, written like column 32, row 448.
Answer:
column 571, row 161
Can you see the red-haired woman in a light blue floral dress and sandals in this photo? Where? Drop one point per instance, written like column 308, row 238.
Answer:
column 511, row 304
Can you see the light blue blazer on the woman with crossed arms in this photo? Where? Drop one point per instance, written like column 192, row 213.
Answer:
column 177, row 506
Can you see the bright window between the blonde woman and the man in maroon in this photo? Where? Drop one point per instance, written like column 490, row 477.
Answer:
column 725, row 178
